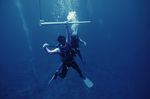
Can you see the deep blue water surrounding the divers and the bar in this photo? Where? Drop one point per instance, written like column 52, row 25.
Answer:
column 117, row 54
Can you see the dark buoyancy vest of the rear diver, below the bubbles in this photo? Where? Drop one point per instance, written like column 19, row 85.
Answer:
column 75, row 41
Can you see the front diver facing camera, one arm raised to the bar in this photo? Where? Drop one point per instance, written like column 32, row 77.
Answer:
column 67, row 54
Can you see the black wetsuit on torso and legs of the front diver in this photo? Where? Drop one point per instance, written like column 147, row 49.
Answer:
column 67, row 56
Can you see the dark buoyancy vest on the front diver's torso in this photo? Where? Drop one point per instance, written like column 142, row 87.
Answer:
column 67, row 53
